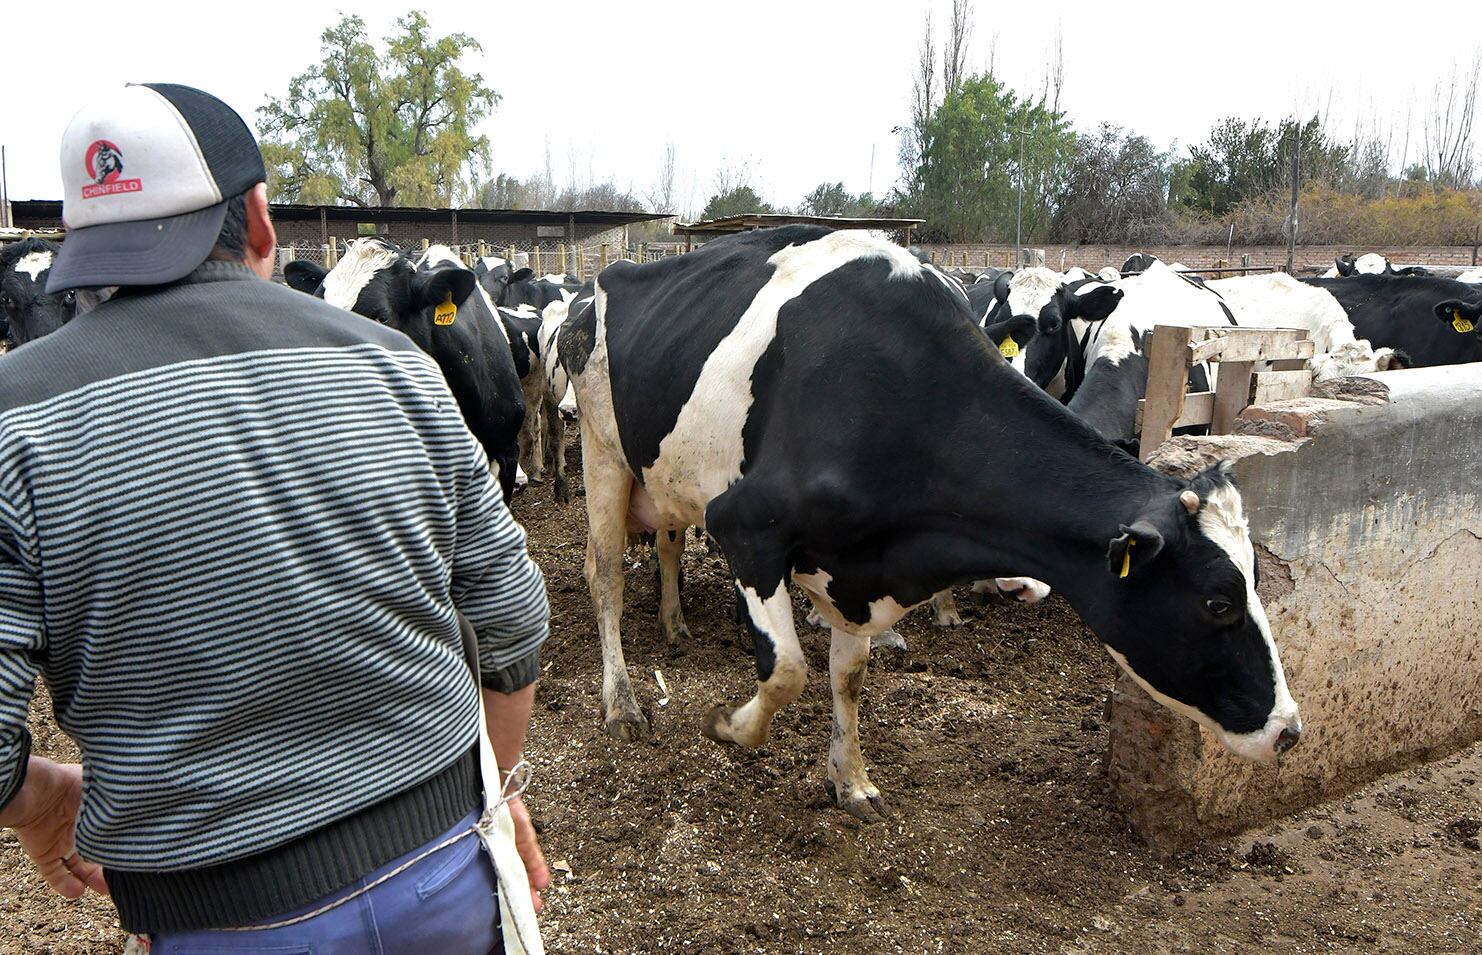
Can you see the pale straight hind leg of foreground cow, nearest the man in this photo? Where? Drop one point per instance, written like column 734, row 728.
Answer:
column 608, row 489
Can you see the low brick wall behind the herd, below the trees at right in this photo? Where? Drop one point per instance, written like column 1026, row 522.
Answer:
column 1093, row 257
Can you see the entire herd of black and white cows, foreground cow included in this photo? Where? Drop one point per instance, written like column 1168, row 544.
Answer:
column 841, row 416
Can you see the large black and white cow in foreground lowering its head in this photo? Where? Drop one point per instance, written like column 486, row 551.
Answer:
column 829, row 410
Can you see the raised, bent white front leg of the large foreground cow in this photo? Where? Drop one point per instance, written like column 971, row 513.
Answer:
column 780, row 671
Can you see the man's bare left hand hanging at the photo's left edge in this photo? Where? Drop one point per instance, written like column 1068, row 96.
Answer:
column 45, row 818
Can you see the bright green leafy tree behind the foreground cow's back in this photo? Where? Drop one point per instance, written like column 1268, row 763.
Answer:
column 966, row 183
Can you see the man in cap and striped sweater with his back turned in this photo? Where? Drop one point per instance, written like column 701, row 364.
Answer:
column 238, row 532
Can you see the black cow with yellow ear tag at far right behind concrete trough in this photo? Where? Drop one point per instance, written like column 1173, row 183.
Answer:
column 1432, row 321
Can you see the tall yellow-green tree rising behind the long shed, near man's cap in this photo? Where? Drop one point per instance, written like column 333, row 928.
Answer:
column 379, row 128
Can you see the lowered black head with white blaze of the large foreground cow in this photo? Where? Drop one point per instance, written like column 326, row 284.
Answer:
column 1183, row 619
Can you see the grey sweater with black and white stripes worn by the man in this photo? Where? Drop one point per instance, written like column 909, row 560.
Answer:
column 236, row 530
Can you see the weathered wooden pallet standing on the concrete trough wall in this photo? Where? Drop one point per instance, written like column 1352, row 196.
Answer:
column 1176, row 349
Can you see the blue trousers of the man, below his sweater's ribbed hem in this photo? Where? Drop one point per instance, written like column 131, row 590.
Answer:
column 444, row 905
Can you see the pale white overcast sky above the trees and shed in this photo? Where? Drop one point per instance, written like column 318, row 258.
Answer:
column 795, row 91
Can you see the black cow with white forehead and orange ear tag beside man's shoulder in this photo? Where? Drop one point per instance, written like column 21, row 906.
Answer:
column 441, row 308
